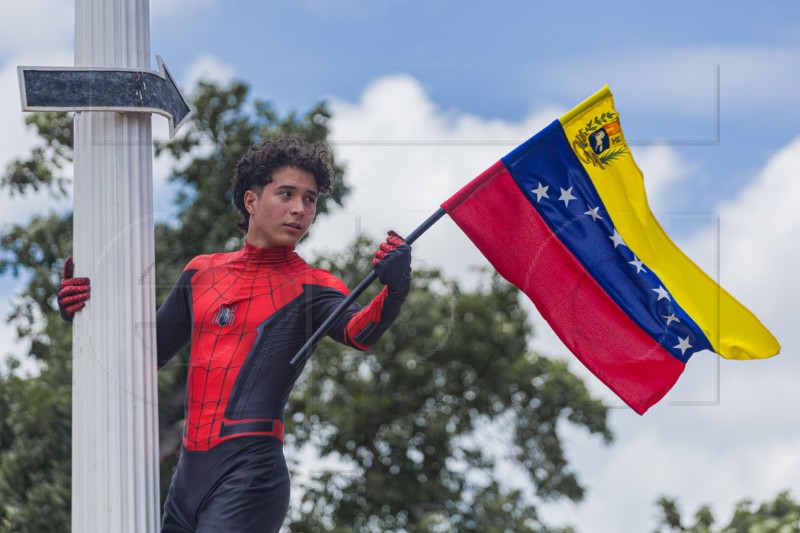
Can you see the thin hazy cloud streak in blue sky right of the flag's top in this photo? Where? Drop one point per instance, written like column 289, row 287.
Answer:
column 683, row 81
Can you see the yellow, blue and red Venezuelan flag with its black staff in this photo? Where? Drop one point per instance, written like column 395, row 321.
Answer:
column 564, row 217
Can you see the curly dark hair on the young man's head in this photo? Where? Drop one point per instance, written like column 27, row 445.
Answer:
column 257, row 166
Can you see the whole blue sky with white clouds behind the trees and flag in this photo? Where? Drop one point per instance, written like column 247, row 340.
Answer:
column 426, row 95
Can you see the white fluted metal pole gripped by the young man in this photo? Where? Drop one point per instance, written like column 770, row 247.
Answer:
column 115, row 471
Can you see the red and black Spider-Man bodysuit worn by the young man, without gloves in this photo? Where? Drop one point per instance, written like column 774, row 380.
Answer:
column 247, row 313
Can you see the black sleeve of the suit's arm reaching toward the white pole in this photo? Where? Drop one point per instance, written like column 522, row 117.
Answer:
column 174, row 319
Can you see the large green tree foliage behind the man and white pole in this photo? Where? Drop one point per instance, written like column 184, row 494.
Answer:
column 422, row 422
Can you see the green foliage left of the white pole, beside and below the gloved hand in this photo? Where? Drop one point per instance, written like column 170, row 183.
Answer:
column 35, row 412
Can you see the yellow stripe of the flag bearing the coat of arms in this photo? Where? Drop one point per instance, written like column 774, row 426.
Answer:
column 594, row 132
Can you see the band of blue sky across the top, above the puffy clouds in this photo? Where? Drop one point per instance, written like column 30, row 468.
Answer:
column 684, row 73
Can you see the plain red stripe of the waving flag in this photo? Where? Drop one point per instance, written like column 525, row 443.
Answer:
column 508, row 230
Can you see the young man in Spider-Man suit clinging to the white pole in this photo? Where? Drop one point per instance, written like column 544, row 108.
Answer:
column 246, row 314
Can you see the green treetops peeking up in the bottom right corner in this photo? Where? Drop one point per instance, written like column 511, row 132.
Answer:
column 782, row 515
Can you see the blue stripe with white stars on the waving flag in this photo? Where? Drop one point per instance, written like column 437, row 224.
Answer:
column 552, row 178
